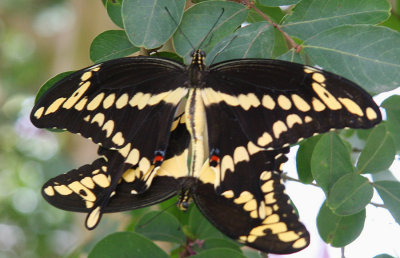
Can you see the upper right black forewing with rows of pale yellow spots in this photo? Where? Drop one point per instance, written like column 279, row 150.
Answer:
column 277, row 103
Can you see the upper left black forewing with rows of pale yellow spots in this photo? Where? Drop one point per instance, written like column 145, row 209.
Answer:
column 112, row 101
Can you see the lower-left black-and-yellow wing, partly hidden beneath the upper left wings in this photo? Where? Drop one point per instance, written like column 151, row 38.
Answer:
column 83, row 189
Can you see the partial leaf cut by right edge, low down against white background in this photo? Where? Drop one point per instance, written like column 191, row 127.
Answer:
column 389, row 191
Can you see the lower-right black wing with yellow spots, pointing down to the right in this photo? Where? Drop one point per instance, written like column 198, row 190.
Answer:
column 254, row 208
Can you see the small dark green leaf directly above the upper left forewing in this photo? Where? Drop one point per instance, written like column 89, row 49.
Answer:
column 111, row 44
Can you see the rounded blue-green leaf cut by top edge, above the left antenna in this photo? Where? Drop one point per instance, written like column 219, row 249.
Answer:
column 148, row 24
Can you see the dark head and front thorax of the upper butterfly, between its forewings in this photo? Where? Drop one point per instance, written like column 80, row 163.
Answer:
column 196, row 69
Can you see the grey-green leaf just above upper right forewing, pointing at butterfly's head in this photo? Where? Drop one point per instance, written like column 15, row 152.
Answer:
column 253, row 41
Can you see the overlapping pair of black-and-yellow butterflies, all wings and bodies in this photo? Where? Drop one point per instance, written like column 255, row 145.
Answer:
column 234, row 121
